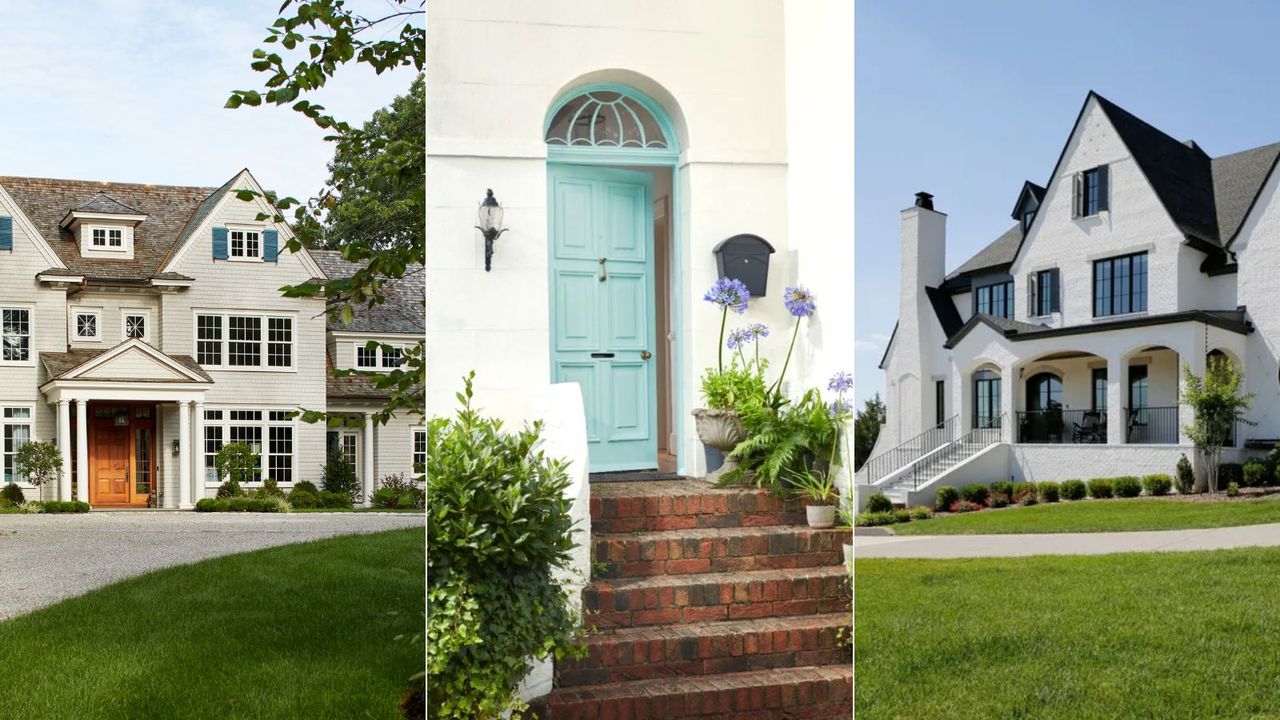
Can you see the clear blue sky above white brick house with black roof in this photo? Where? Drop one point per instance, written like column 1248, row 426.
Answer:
column 967, row 101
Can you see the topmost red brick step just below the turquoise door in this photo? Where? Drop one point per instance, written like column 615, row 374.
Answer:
column 678, row 505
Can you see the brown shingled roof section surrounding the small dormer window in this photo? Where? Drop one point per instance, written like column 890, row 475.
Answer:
column 168, row 208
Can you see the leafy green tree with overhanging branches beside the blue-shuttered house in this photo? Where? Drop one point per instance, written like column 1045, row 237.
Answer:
column 378, row 170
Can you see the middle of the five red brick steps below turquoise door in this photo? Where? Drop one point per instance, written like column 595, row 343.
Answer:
column 664, row 600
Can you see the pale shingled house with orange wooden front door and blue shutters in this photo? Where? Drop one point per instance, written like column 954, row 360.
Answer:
column 143, row 327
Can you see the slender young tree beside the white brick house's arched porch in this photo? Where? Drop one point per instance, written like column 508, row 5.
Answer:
column 1219, row 405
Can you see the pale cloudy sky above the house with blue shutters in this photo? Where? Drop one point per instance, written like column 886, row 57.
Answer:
column 134, row 90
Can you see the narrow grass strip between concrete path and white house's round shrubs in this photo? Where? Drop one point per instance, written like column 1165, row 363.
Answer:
column 1098, row 517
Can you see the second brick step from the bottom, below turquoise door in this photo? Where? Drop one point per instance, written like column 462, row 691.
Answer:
column 708, row 649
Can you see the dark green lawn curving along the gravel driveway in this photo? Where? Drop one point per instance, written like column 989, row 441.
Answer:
column 301, row 631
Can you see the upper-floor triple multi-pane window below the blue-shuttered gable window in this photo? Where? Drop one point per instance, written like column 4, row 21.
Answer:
column 250, row 341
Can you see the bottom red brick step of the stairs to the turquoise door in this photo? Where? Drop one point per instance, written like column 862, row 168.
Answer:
column 787, row 694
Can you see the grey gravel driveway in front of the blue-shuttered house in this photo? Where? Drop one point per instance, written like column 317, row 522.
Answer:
column 45, row 559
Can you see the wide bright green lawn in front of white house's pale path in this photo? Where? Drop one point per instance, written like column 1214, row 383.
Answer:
column 1190, row 635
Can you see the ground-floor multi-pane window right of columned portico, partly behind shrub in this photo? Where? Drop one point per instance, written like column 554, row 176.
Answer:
column 269, row 432
